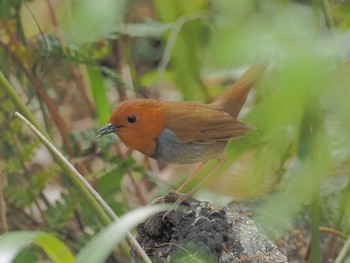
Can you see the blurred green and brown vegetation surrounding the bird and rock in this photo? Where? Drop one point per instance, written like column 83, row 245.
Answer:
column 65, row 64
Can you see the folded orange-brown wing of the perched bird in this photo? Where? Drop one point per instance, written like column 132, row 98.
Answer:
column 209, row 126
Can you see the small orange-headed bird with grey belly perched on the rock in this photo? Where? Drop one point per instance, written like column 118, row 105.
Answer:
column 184, row 132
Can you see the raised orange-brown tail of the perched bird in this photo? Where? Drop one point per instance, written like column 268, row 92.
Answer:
column 234, row 98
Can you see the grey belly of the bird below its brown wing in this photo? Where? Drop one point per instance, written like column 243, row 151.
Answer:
column 171, row 150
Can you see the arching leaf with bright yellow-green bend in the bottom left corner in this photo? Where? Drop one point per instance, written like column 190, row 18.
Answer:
column 12, row 243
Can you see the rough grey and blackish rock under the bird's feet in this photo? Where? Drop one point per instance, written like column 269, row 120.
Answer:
column 205, row 233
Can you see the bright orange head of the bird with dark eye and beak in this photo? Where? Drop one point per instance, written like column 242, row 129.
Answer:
column 137, row 122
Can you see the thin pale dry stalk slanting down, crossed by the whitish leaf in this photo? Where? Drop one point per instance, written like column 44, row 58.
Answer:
column 78, row 176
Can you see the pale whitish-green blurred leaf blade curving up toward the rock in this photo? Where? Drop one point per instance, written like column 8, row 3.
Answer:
column 100, row 247
